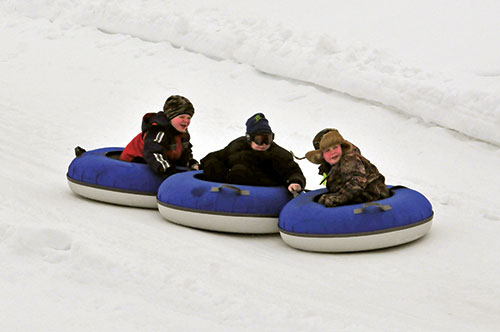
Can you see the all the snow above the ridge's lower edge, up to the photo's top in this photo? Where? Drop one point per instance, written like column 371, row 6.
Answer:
column 305, row 48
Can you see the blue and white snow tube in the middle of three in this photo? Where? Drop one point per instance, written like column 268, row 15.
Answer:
column 187, row 199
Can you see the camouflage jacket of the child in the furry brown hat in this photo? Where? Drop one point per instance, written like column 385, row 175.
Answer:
column 353, row 180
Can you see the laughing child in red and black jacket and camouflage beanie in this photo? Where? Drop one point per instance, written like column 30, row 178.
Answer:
column 164, row 141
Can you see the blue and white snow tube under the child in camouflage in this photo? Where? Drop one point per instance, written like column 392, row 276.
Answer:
column 401, row 218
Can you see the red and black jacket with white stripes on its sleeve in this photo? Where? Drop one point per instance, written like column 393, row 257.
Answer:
column 160, row 145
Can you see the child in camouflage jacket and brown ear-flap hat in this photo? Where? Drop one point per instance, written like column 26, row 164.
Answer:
column 351, row 178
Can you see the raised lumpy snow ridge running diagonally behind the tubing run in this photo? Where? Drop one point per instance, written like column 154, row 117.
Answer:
column 442, row 99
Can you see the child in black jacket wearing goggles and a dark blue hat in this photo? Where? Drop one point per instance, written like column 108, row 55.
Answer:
column 254, row 159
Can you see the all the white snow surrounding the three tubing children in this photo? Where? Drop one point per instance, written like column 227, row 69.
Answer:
column 416, row 85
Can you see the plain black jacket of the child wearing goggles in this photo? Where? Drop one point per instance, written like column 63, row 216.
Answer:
column 238, row 163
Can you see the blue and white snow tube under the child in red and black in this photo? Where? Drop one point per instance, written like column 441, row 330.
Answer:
column 100, row 175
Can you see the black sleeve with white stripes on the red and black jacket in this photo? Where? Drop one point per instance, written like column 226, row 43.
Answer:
column 153, row 151
